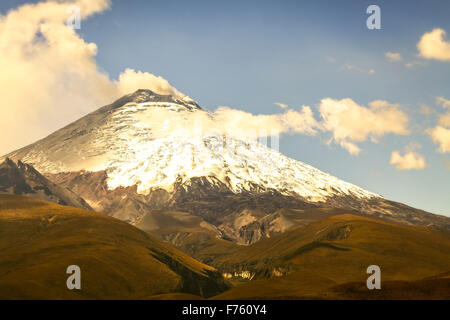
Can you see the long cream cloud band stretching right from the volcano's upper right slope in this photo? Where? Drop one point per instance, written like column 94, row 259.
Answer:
column 348, row 122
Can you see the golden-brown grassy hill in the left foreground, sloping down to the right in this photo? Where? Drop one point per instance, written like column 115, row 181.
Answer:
column 39, row 240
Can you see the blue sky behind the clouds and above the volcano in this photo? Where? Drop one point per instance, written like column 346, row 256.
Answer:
column 250, row 54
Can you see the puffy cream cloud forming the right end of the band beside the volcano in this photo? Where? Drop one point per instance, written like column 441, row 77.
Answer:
column 350, row 123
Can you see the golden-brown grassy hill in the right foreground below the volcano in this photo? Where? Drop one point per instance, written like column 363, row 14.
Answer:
column 329, row 258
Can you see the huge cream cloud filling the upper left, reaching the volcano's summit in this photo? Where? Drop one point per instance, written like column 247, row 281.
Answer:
column 49, row 75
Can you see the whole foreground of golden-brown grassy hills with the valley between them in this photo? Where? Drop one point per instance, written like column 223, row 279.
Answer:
column 324, row 259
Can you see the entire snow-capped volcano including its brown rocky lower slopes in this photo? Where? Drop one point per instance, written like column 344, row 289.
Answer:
column 148, row 152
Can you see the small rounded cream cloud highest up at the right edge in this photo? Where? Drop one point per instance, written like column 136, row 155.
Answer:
column 433, row 45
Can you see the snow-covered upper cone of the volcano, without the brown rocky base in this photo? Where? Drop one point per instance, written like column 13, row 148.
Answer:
column 152, row 141
